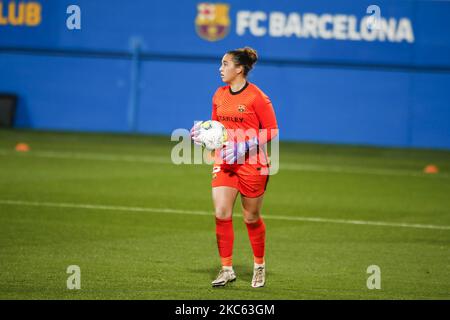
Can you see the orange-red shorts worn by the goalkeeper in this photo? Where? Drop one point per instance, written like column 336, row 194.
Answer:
column 249, row 180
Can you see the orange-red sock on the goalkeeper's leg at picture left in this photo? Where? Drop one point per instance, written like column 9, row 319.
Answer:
column 225, row 239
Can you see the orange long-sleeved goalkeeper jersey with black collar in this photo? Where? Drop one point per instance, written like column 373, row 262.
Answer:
column 245, row 114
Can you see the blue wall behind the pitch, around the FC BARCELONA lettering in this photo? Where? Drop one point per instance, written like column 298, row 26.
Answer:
column 326, row 90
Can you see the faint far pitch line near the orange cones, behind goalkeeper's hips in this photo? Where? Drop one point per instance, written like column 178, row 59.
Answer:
column 164, row 160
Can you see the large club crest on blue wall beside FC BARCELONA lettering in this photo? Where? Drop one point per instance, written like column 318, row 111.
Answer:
column 212, row 22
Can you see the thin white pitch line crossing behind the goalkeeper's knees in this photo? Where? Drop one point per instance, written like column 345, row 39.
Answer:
column 206, row 213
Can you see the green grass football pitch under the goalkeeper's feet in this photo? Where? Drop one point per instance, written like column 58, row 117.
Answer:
column 140, row 227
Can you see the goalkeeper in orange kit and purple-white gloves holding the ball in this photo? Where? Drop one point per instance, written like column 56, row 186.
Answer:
column 242, row 165
